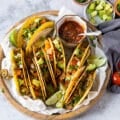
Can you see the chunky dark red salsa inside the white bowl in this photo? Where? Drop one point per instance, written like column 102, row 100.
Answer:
column 69, row 31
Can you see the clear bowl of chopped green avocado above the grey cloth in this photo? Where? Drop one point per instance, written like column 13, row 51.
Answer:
column 99, row 11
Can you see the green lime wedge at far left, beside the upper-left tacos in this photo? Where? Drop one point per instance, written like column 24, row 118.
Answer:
column 13, row 37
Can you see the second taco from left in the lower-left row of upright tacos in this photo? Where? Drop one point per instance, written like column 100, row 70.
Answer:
column 35, row 81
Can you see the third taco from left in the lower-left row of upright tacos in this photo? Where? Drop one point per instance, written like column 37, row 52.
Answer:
column 43, row 71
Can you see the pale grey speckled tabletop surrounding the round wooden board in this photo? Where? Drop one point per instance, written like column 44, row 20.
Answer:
column 11, row 11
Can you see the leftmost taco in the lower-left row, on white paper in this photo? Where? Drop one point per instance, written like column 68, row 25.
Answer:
column 19, row 72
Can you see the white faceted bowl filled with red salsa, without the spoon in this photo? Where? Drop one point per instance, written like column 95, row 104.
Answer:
column 68, row 29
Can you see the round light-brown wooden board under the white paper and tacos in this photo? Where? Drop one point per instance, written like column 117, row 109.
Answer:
column 50, row 117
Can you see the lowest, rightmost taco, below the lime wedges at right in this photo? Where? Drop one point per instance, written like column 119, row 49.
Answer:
column 81, row 90
